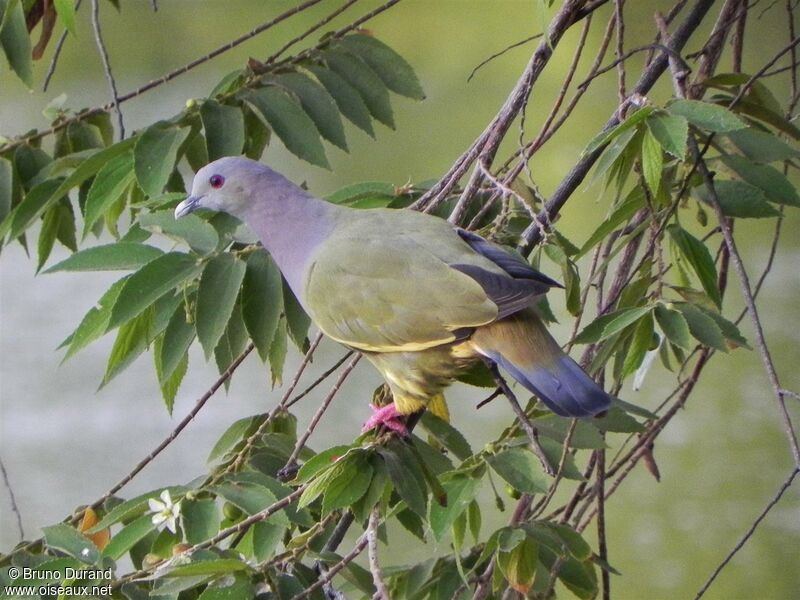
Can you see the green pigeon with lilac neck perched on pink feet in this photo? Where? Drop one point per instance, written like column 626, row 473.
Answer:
column 421, row 299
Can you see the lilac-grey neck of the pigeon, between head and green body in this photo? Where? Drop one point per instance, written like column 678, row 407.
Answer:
column 291, row 226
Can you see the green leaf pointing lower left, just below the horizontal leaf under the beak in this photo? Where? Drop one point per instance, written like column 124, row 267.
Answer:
column 148, row 284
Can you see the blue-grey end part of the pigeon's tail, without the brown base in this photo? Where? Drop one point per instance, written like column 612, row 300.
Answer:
column 565, row 388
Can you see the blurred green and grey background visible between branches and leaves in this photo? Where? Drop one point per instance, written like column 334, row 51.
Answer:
column 721, row 459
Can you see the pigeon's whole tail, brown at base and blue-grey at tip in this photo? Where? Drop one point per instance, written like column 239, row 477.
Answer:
column 521, row 345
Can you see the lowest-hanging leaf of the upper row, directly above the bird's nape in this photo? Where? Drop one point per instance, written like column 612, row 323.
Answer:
column 290, row 122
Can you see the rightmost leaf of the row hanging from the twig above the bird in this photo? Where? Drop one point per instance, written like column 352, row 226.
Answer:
column 392, row 68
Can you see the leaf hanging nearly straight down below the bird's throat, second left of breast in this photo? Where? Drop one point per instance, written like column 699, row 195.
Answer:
column 216, row 296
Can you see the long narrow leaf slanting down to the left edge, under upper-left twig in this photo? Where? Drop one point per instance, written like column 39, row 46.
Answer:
column 47, row 192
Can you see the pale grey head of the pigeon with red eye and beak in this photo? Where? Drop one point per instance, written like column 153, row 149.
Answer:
column 226, row 185
